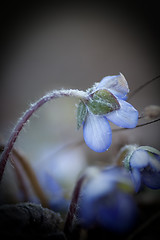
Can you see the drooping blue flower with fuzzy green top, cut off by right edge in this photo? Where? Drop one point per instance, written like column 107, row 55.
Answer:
column 143, row 164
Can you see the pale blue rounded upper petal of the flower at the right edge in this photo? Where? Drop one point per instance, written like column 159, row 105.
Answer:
column 139, row 159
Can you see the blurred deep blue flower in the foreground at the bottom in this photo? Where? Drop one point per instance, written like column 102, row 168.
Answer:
column 106, row 201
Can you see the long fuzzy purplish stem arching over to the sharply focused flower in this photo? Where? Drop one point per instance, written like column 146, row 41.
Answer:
column 21, row 122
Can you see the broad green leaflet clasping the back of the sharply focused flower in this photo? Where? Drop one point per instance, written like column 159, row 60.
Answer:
column 103, row 102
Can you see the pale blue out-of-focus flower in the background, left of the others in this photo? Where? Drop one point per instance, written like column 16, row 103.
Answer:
column 57, row 171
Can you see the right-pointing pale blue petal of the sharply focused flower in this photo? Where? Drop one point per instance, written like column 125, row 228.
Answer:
column 126, row 116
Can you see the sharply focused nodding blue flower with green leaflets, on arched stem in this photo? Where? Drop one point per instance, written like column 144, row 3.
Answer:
column 96, row 128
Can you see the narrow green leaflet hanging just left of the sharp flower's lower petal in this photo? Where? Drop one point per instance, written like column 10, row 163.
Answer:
column 81, row 114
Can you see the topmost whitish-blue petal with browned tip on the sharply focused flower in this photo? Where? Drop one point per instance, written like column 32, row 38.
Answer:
column 117, row 85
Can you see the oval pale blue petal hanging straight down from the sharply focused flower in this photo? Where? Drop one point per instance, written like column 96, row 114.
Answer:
column 97, row 133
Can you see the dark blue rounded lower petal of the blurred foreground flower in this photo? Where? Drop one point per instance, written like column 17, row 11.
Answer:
column 117, row 213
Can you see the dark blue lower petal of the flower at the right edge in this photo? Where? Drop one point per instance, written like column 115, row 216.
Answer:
column 151, row 179
